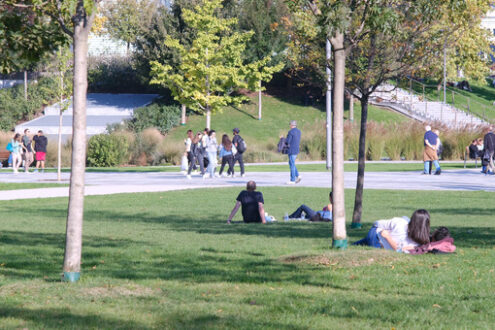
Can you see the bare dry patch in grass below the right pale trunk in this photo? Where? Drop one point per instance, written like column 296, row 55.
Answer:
column 346, row 259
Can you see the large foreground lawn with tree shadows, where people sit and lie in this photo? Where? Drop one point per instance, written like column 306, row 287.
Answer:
column 168, row 260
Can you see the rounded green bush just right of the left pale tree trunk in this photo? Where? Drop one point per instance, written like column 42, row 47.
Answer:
column 108, row 150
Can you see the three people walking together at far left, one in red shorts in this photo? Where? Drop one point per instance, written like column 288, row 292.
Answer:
column 24, row 148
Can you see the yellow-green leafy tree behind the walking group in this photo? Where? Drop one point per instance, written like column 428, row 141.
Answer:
column 210, row 66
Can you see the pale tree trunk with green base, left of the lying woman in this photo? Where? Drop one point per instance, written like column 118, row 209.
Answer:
column 339, row 230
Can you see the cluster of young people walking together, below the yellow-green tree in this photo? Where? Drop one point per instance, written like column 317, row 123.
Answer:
column 203, row 149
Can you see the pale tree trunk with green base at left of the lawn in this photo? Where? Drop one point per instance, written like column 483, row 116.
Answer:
column 73, row 244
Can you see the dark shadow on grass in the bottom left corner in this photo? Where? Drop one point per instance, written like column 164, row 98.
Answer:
column 51, row 318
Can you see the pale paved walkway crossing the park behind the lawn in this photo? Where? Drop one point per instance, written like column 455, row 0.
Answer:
column 114, row 183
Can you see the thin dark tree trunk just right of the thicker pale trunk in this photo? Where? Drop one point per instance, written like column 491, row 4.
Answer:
column 358, row 201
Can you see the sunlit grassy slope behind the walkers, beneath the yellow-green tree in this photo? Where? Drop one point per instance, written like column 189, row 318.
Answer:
column 275, row 119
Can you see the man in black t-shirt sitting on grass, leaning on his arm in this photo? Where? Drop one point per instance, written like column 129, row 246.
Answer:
column 252, row 205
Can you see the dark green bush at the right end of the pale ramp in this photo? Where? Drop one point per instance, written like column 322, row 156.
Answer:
column 157, row 115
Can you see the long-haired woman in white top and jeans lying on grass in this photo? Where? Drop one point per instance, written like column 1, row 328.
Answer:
column 399, row 234
